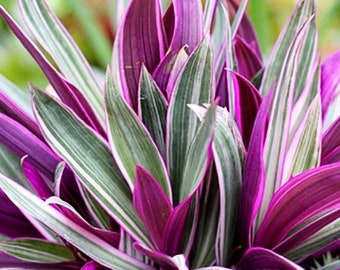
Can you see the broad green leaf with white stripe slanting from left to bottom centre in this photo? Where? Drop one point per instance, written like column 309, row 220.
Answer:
column 90, row 158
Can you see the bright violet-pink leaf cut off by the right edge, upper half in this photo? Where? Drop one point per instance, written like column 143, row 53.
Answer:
column 330, row 79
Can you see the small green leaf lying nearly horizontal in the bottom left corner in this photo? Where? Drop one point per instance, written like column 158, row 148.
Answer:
column 34, row 250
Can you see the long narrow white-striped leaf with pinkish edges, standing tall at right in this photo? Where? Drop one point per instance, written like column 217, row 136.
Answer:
column 281, row 113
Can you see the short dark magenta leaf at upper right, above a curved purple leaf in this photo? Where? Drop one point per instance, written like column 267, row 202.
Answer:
column 248, row 62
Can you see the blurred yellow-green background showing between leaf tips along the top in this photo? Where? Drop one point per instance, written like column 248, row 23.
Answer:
column 83, row 22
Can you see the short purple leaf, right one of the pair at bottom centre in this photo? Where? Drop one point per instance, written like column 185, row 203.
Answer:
column 175, row 227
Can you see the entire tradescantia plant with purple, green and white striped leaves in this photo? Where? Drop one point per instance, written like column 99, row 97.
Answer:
column 191, row 154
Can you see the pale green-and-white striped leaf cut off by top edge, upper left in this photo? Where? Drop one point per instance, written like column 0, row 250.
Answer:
column 53, row 37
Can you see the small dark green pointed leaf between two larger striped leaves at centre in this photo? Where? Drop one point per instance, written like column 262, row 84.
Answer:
column 153, row 108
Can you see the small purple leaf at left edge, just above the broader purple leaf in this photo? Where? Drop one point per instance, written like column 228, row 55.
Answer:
column 9, row 108
